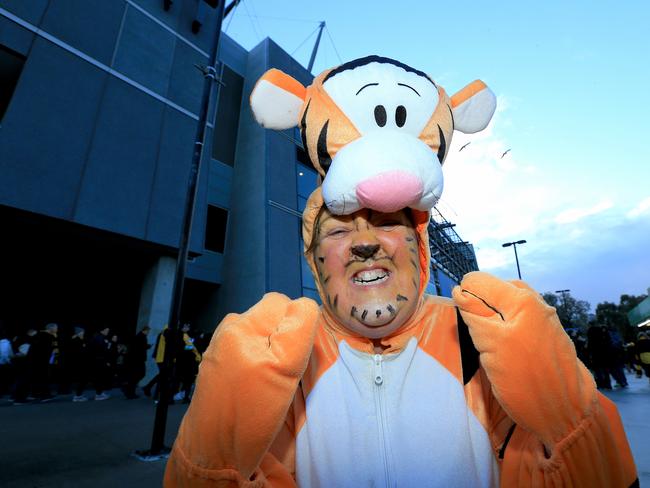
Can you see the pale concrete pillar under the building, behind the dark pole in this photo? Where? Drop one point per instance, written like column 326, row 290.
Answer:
column 155, row 304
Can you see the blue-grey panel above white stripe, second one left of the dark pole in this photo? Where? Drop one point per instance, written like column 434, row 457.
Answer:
column 145, row 52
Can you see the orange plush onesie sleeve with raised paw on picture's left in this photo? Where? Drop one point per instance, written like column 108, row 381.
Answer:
column 235, row 432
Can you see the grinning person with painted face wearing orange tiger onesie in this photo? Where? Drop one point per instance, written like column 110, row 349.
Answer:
column 384, row 385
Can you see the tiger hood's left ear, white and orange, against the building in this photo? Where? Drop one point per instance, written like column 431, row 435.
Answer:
column 276, row 100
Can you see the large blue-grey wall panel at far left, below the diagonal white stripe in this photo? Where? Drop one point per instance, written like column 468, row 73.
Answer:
column 46, row 132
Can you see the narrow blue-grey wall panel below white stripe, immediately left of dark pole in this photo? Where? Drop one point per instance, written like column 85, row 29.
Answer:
column 170, row 181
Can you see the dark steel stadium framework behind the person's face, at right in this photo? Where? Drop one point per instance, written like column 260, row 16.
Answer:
column 448, row 251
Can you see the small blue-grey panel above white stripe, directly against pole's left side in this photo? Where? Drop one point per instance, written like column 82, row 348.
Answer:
column 186, row 83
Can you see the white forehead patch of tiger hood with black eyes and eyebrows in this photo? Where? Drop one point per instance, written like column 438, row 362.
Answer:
column 381, row 94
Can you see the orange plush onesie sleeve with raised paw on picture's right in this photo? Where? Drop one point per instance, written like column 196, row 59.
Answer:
column 553, row 426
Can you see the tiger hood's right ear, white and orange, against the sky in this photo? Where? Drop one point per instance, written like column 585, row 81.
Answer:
column 473, row 107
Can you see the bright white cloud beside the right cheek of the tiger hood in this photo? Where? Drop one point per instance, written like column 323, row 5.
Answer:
column 591, row 243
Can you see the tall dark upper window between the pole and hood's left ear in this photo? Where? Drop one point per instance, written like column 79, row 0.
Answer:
column 227, row 120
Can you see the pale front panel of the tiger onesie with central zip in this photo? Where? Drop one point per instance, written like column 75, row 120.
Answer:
column 409, row 428
